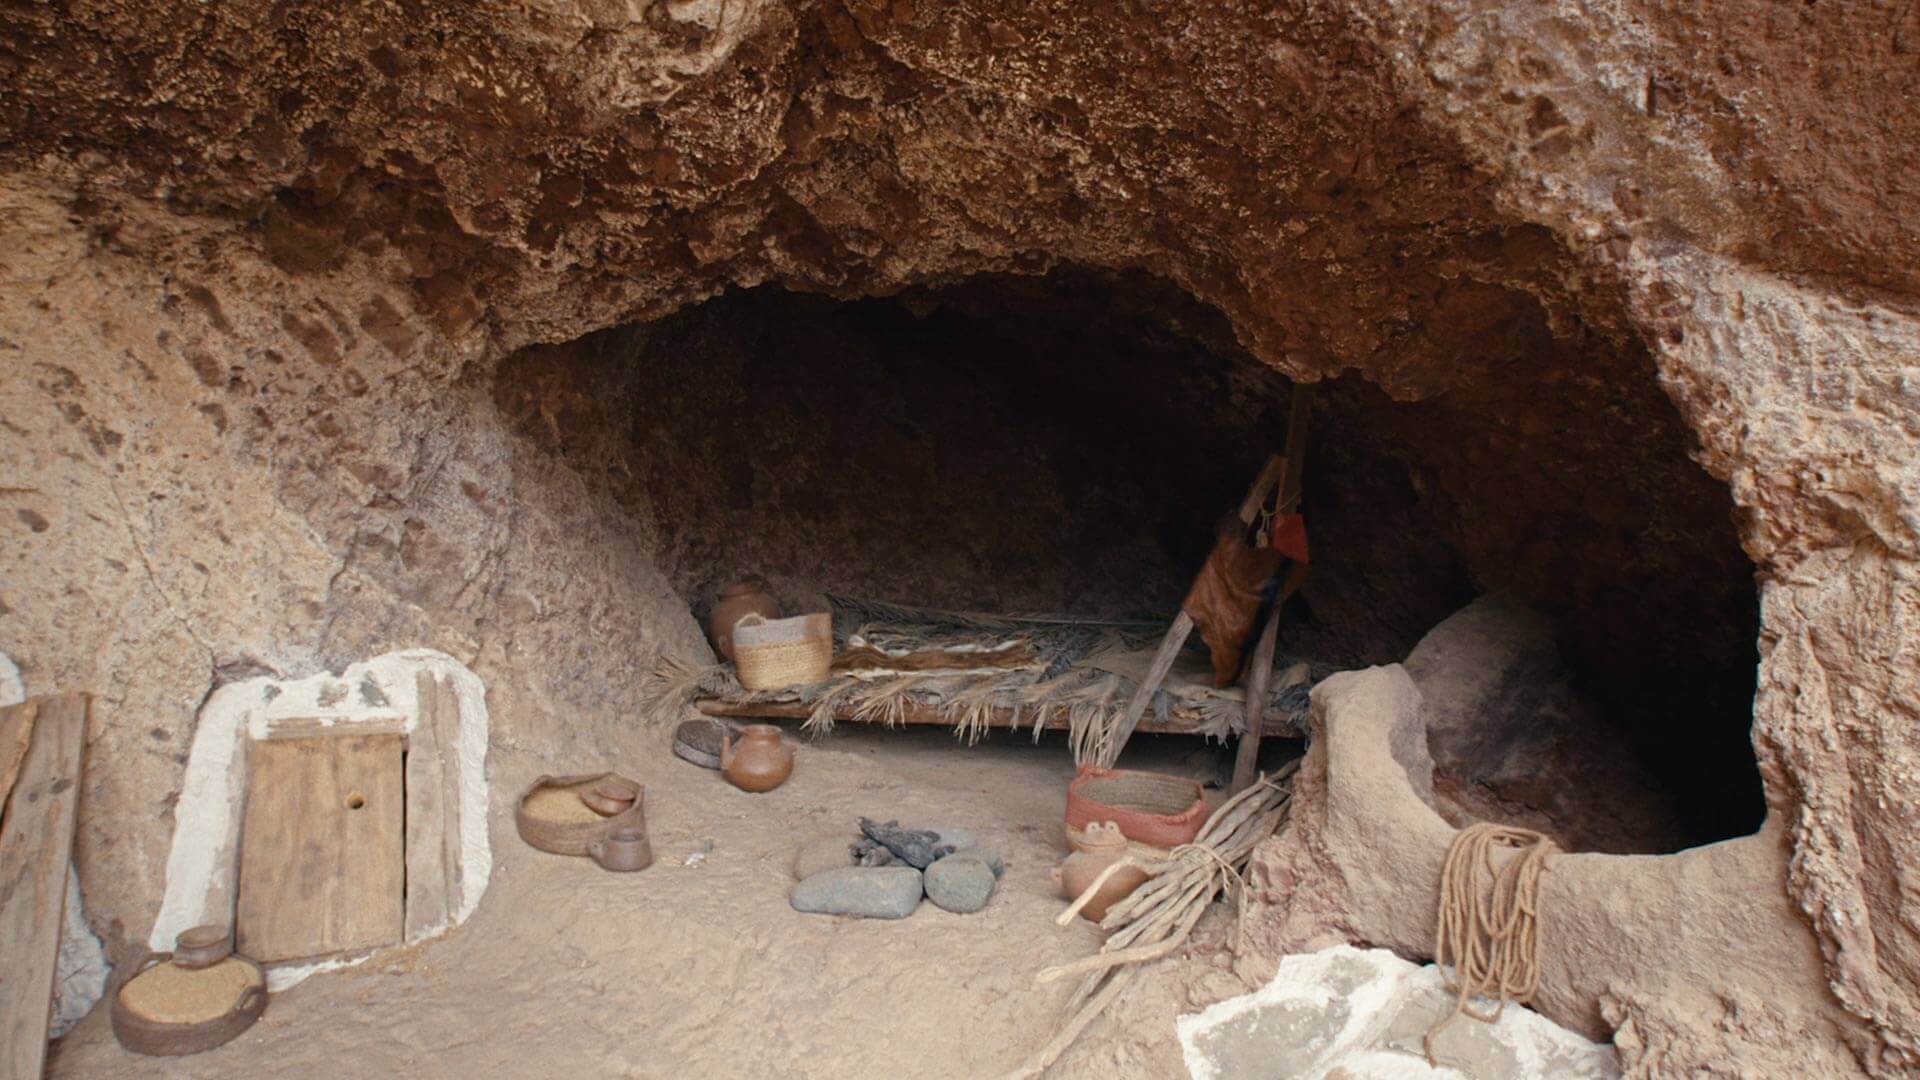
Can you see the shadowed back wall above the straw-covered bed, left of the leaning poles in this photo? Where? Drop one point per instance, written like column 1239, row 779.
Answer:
column 1003, row 445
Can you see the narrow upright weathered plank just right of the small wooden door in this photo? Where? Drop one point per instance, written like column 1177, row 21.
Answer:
column 433, row 808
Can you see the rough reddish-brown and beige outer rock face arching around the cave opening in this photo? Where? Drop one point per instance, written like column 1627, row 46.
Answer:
column 262, row 255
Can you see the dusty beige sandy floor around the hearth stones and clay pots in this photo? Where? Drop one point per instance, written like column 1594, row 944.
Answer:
column 706, row 971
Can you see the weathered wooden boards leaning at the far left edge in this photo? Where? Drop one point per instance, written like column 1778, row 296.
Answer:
column 36, row 850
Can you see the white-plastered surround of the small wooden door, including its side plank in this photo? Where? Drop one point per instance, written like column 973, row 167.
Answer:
column 427, row 699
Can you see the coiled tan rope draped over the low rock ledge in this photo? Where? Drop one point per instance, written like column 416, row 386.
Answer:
column 1489, row 927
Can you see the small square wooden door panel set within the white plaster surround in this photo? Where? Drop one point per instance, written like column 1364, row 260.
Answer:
column 322, row 848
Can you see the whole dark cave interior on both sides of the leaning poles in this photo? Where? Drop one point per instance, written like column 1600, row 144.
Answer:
column 1067, row 445
